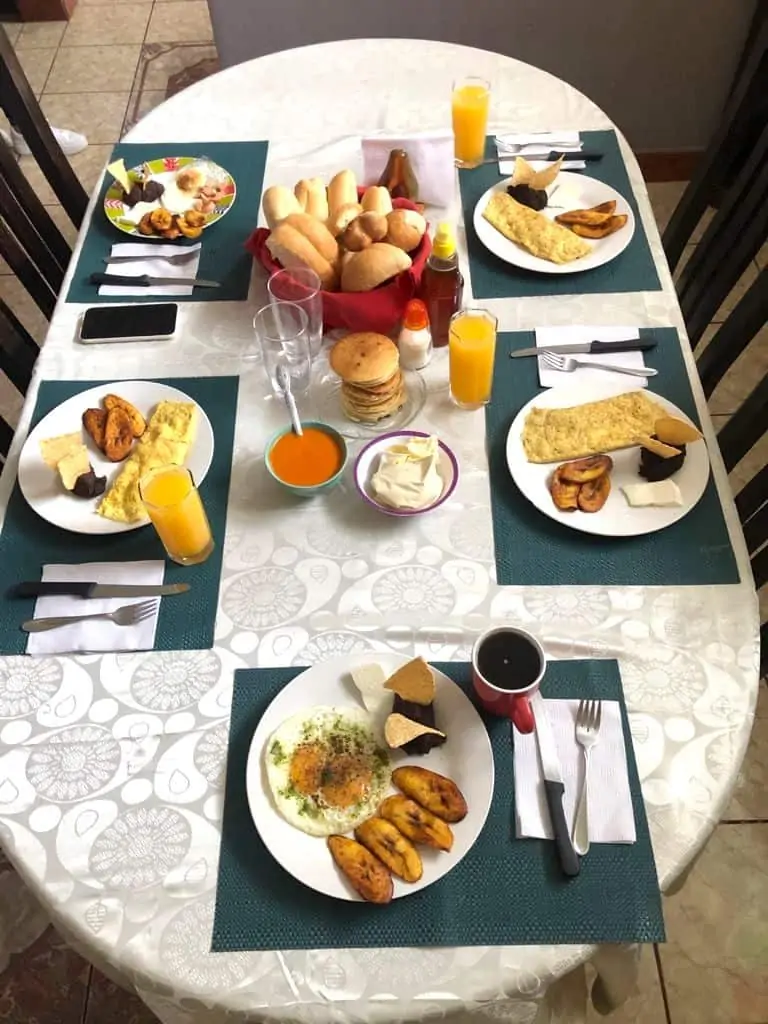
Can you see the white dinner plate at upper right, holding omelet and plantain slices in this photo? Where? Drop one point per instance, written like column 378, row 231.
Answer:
column 570, row 192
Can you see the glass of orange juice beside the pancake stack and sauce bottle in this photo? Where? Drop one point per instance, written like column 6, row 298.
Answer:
column 472, row 352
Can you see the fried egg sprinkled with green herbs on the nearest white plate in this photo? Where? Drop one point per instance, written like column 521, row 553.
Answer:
column 325, row 771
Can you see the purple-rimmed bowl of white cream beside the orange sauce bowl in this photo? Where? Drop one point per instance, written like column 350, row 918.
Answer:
column 406, row 473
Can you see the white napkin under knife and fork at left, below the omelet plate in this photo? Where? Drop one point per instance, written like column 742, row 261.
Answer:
column 100, row 635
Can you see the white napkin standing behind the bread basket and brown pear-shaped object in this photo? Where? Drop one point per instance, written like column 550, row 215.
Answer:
column 432, row 156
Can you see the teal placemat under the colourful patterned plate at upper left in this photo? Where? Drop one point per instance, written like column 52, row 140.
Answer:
column 224, row 258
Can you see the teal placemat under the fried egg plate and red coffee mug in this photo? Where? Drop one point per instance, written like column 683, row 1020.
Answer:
column 505, row 892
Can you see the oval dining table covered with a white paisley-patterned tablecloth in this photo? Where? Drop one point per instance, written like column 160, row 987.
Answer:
column 689, row 656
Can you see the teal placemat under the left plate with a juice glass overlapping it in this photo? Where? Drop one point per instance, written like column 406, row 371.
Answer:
column 28, row 543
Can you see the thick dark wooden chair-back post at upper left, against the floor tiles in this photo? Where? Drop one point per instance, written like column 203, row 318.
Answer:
column 23, row 110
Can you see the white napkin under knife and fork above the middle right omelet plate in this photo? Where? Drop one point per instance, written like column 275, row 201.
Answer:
column 582, row 375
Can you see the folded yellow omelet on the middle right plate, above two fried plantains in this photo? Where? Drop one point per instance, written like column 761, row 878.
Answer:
column 558, row 435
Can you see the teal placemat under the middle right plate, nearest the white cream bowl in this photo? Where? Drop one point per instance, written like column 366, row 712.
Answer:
column 534, row 550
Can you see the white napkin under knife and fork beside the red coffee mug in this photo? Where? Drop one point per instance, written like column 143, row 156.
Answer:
column 612, row 818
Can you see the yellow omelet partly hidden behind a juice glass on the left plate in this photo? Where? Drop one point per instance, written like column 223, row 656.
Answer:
column 166, row 442
